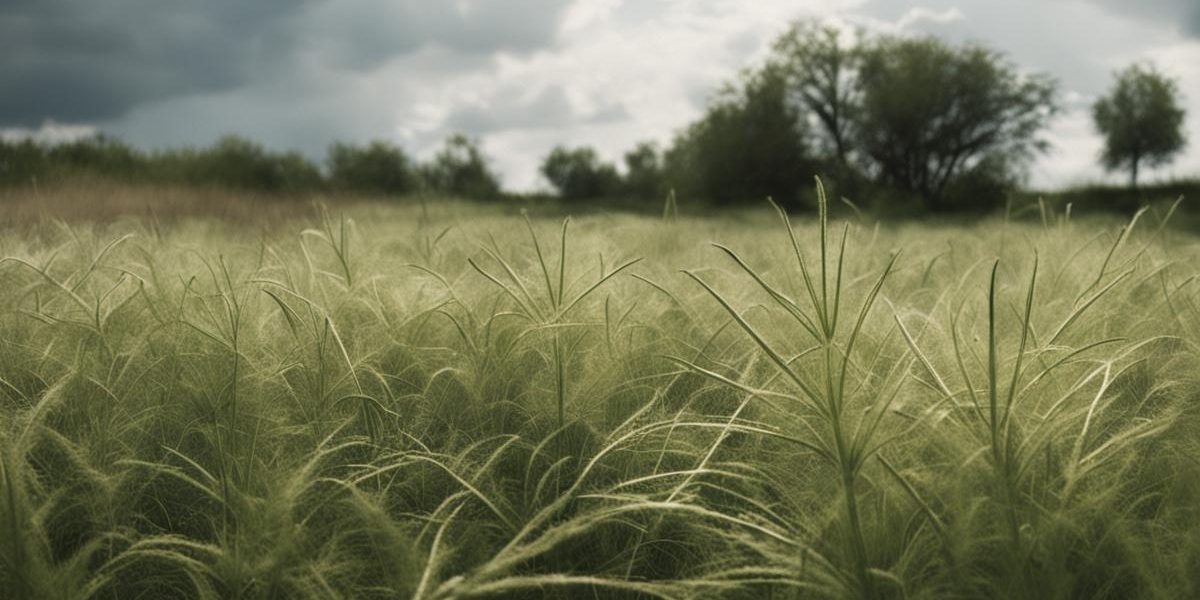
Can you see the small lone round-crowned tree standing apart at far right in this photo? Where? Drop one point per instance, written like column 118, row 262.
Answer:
column 1142, row 121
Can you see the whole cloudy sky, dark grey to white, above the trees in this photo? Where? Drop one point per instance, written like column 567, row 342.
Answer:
column 523, row 76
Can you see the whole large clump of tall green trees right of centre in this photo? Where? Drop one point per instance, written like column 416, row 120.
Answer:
column 952, row 127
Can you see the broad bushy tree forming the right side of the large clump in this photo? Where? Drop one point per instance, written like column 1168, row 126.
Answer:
column 933, row 112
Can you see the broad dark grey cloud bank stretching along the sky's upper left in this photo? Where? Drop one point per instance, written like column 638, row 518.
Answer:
column 82, row 61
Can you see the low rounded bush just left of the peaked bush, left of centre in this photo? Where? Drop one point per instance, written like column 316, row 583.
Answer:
column 379, row 169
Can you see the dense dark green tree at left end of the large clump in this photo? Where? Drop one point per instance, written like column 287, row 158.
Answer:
column 751, row 145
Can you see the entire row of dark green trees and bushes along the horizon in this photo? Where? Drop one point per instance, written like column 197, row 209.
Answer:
column 939, row 125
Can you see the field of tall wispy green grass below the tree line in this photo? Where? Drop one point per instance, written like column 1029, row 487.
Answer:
column 452, row 401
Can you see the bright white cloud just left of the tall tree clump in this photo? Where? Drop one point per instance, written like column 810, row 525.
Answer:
column 657, row 62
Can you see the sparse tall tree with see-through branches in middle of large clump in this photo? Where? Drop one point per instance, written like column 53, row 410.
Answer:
column 823, row 74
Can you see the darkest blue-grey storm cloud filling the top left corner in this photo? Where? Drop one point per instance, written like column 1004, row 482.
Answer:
column 76, row 61
